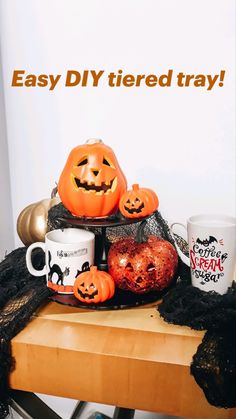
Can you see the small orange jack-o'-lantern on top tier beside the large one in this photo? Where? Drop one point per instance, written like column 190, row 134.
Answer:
column 138, row 202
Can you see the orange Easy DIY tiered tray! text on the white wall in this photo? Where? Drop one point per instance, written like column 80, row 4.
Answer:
column 96, row 78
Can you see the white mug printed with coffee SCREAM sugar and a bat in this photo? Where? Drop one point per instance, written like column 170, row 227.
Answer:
column 212, row 251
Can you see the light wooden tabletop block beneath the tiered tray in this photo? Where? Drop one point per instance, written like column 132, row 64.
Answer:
column 129, row 358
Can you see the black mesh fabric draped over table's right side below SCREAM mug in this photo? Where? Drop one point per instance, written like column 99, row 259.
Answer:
column 214, row 364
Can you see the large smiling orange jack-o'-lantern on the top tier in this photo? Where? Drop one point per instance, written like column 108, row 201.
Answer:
column 92, row 181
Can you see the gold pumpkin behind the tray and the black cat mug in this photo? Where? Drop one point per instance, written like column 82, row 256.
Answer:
column 32, row 221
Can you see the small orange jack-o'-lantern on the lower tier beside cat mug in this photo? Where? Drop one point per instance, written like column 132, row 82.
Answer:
column 94, row 286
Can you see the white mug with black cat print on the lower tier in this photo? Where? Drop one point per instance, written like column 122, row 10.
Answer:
column 68, row 252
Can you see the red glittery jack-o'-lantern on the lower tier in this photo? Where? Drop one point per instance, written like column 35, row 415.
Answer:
column 140, row 265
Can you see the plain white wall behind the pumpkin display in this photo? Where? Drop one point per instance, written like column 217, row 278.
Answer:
column 179, row 141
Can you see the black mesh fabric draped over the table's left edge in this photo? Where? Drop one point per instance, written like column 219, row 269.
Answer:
column 20, row 295
